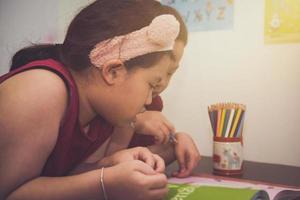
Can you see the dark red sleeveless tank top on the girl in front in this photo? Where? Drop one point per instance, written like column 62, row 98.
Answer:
column 73, row 145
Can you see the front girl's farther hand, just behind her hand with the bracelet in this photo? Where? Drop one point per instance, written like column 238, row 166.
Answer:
column 137, row 153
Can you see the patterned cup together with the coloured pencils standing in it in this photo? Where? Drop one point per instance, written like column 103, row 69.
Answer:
column 227, row 121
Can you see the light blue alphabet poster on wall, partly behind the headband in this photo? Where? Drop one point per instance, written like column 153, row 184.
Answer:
column 204, row 15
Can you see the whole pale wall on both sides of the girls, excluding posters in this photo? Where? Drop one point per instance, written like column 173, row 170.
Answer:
column 218, row 66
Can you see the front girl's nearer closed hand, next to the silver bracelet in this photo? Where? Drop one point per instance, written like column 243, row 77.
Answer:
column 134, row 180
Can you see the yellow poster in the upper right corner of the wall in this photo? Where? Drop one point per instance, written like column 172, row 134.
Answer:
column 282, row 21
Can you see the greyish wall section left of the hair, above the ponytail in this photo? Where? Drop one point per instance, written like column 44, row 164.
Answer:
column 33, row 21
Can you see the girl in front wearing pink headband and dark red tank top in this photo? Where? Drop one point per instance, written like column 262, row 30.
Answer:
column 60, row 103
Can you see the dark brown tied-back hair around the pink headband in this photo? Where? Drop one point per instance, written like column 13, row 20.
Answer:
column 101, row 20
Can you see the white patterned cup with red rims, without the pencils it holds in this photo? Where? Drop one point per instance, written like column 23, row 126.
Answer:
column 227, row 156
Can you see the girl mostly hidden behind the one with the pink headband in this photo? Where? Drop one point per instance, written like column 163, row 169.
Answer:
column 153, row 123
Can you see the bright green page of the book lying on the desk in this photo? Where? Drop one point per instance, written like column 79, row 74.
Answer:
column 197, row 192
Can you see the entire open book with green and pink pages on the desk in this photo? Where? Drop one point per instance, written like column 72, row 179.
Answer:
column 210, row 187
